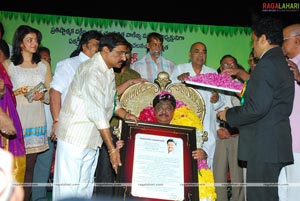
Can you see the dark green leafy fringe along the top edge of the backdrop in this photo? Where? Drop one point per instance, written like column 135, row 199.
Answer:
column 108, row 23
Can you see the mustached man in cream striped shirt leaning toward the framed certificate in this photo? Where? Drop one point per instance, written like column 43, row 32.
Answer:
column 84, row 120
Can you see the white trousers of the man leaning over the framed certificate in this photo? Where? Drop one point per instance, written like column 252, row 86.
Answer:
column 74, row 171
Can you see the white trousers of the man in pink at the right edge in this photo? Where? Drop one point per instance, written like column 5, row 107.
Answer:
column 289, row 181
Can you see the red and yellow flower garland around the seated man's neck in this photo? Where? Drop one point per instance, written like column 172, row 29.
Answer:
column 185, row 116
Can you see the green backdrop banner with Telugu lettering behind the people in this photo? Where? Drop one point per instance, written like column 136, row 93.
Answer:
column 61, row 35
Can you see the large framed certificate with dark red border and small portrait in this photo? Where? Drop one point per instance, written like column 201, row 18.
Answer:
column 157, row 162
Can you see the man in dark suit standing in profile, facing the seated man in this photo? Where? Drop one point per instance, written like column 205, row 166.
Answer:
column 265, row 140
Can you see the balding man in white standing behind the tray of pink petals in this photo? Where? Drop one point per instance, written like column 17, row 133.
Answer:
column 213, row 100
